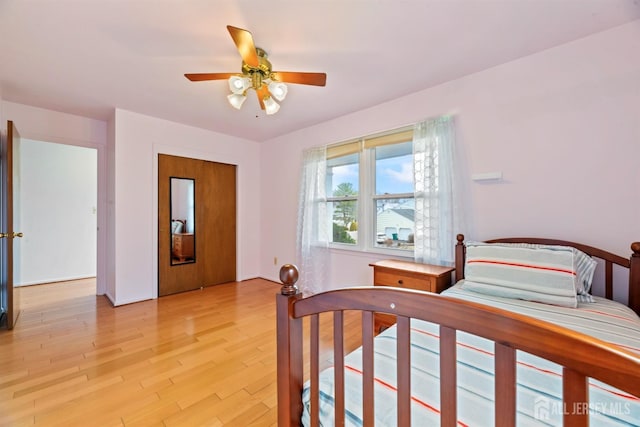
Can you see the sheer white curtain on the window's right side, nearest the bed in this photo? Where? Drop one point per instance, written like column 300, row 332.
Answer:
column 438, row 213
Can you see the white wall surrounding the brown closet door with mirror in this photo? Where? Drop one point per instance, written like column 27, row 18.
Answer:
column 136, row 143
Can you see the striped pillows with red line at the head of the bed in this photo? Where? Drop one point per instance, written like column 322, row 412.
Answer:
column 542, row 273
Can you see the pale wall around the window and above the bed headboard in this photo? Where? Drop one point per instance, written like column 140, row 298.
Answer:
column 562, row 125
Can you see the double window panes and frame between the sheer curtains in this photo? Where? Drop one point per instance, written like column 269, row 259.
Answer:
column 370, row 192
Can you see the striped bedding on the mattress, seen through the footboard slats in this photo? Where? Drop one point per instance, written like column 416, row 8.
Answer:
column 539, row 381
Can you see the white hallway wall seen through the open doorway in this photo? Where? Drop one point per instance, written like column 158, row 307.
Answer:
column 58, row 215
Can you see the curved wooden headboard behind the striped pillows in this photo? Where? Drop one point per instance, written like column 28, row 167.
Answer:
column 632, row 263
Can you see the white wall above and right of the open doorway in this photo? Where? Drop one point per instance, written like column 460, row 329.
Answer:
column 46, row 125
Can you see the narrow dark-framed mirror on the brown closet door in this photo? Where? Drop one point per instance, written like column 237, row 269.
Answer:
column 182, row 200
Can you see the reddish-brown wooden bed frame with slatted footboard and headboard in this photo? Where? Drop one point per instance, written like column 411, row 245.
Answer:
column 589, row 357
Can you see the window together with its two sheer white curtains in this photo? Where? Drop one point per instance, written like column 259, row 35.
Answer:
column 367, row 191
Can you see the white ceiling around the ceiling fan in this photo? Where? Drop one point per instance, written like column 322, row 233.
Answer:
column 87, row 57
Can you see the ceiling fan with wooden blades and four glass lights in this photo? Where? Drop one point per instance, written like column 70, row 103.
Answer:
column 257, row 74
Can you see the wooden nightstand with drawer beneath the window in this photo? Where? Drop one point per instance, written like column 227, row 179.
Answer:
column 406, row 274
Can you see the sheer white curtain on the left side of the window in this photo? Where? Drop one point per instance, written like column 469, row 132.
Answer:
column 313, row 231
